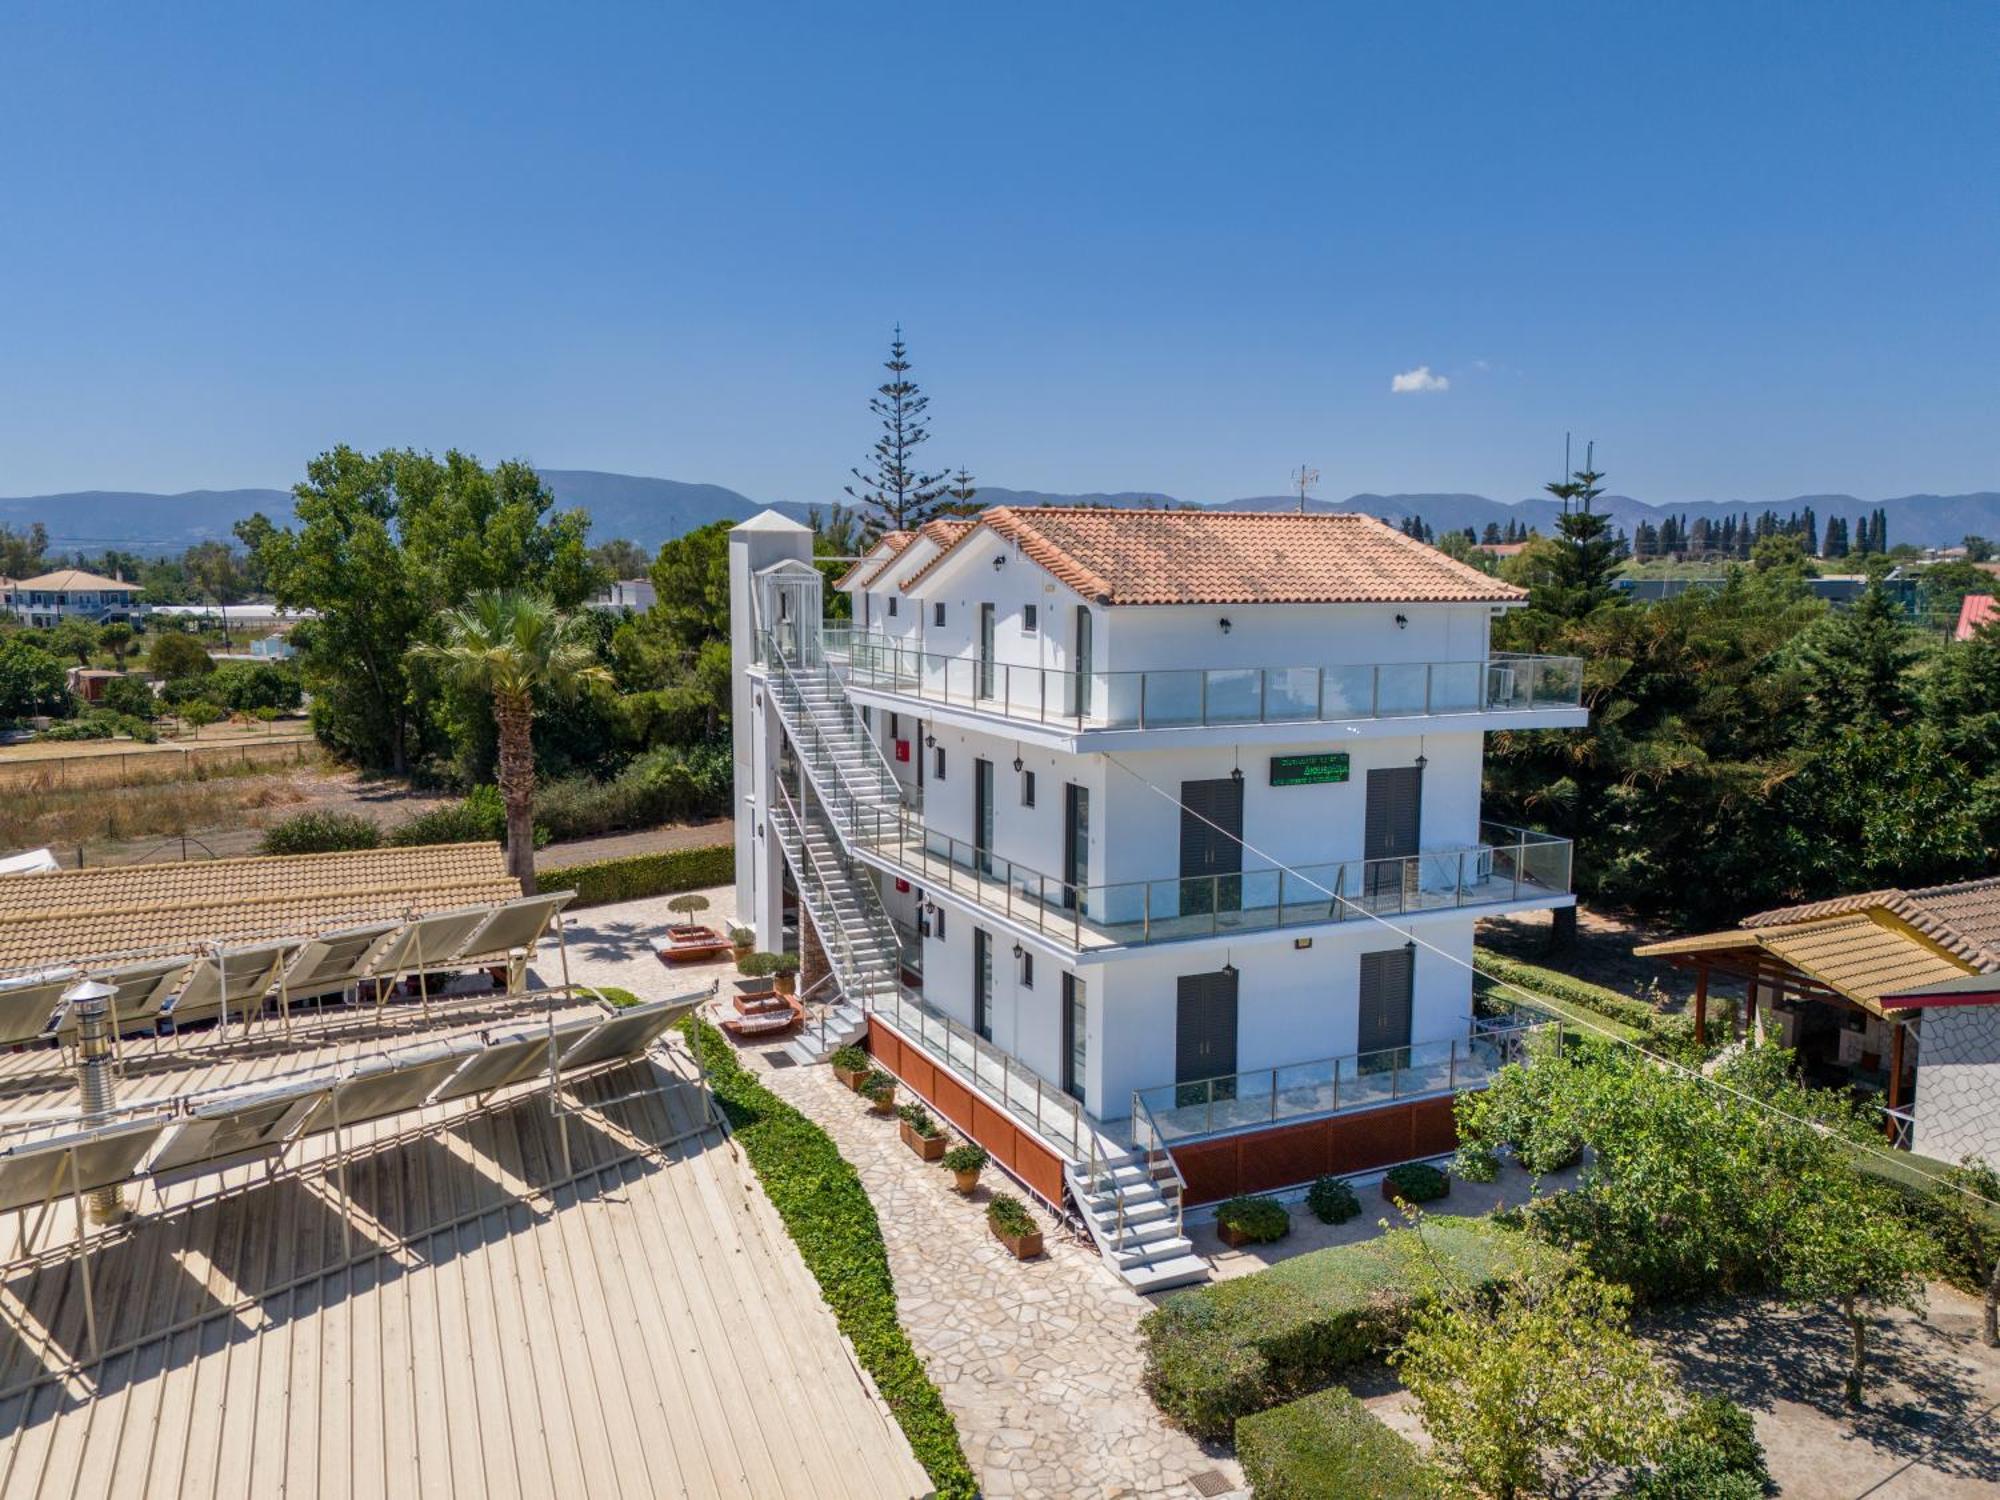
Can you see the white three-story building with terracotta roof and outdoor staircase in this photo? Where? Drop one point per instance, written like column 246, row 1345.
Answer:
column 1145, row 845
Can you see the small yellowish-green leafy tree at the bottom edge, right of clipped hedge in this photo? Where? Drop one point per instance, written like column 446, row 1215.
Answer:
column 1535, row 1379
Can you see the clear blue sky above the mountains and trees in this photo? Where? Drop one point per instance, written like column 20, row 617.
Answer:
column 1751, row 249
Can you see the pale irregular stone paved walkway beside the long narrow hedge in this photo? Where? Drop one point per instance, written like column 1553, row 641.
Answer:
column 1039, row 1361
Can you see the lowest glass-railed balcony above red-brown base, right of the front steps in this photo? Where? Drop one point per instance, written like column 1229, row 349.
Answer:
column 1261, row 1099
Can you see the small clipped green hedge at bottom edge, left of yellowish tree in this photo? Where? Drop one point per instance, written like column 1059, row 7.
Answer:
column 1329, row 1445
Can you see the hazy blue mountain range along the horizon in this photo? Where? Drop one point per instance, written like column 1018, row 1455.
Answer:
column 651, row 511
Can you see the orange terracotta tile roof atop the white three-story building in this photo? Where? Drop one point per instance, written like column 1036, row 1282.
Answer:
column 1235, row 557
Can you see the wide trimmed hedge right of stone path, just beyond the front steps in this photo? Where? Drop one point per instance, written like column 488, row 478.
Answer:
column 1225, row 1351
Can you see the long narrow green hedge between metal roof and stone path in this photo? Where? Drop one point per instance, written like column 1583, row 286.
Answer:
column 829, row 1217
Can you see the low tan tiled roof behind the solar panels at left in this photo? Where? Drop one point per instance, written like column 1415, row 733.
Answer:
column 83, row 917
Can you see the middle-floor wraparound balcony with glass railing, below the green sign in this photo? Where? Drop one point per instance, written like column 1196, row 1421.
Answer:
column 1507, row 867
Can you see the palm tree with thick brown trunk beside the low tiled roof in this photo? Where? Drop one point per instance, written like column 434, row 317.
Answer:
column 515, row 645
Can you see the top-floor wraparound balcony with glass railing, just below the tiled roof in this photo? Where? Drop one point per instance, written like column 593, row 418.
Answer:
column 1209, row 697
